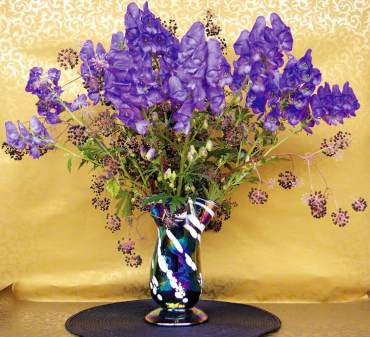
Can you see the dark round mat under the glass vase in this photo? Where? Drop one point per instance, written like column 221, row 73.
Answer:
column 126, row 319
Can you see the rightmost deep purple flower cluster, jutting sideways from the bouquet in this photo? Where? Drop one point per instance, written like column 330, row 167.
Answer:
column 333, row 105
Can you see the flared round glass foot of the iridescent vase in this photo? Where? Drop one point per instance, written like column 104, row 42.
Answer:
column 165, row 317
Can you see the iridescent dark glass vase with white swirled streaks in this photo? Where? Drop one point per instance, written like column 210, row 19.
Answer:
column 175, row 275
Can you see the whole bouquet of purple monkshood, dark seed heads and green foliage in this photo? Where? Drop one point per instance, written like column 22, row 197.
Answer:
column 173, row 120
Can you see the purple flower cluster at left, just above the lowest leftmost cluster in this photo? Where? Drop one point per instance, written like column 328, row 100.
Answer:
column 46, row 88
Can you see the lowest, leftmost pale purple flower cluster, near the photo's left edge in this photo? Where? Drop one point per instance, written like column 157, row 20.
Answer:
column 22, row 138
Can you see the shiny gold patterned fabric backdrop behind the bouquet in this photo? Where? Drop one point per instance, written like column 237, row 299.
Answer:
column 53, row 244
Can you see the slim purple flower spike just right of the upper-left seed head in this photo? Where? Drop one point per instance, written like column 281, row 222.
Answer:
column 93, row 67
